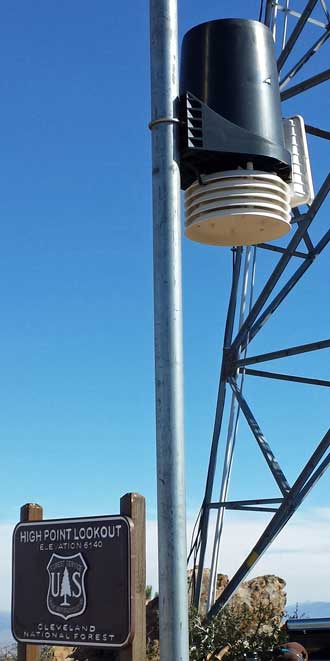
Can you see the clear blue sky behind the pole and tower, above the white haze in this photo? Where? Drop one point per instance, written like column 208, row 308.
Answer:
column 76, row 390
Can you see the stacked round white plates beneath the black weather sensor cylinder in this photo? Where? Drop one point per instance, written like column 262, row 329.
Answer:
column 237, row 208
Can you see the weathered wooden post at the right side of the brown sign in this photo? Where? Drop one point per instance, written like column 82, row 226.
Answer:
column 133, row 505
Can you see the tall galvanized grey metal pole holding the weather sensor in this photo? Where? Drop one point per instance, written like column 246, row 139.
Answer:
column 172, row 549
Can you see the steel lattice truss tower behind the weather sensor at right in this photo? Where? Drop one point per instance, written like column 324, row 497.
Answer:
column 294, row 261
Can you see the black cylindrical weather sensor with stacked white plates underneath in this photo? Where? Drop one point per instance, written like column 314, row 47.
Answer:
column 231, row 127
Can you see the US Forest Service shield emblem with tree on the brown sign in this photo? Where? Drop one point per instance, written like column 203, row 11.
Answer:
column 66, row 595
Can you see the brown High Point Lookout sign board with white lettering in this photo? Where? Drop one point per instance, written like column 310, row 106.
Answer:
column 72, row 582
